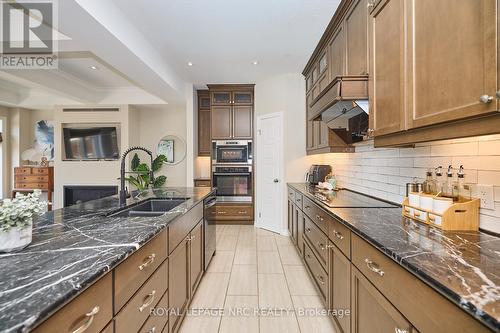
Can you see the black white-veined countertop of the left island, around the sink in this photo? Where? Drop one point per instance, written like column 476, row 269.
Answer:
column 72, row 248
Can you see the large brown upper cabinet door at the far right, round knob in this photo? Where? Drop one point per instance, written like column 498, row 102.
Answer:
column 452, row 61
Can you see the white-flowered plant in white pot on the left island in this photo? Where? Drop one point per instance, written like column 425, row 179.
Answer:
column 16, row 220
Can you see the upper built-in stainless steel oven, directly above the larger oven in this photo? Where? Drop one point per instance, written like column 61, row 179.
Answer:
column 225, row 151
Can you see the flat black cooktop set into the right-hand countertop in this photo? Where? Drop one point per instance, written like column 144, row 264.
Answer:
column 348, row 199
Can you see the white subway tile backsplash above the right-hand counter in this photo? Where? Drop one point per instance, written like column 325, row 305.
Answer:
column 383, row 173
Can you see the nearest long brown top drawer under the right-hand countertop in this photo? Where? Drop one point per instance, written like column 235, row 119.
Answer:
column 418, row 302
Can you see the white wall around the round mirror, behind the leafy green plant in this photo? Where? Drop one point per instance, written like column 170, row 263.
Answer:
column 157, row 122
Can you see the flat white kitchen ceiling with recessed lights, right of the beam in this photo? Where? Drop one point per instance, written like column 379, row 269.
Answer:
column 222, row 38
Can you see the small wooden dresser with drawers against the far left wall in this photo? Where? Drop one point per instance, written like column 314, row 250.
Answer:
column 30, row 178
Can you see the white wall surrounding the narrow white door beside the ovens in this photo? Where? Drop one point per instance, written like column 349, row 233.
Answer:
column 285, row 93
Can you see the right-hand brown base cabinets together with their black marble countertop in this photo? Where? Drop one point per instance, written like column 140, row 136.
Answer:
column 461, row 268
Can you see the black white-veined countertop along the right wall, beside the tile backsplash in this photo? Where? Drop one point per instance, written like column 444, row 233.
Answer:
column 462, row 266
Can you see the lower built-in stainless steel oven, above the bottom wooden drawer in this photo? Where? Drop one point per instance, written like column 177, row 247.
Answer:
column 233, row 182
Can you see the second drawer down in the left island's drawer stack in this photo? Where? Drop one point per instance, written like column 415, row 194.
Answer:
column 137, row 310
